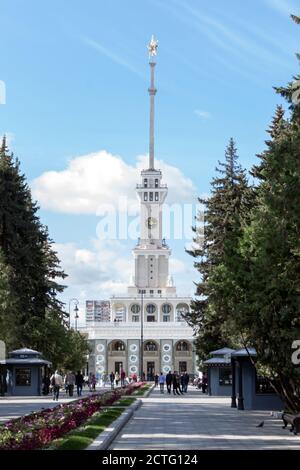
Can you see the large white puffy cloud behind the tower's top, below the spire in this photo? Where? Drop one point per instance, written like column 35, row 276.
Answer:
column 98, row 179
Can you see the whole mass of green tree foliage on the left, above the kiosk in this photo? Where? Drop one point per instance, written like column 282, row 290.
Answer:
column 30, row 313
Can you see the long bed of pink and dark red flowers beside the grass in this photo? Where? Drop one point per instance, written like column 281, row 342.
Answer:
column 39, row 429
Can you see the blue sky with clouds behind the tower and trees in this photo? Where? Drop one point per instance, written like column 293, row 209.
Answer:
column 76, row 76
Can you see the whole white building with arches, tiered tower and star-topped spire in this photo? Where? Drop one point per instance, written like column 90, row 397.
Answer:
column 151, row 314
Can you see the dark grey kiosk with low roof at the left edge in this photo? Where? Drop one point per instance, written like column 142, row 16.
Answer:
column 23, row 372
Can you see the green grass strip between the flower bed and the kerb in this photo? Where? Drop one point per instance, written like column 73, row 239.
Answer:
column 82, row 437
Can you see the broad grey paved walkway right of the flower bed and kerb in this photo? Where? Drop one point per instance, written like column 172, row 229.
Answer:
column 196, row 421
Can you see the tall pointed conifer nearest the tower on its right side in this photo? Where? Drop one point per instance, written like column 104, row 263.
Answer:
column 230, row 198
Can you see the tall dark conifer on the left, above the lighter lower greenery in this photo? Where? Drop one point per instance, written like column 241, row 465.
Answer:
column 24, row 241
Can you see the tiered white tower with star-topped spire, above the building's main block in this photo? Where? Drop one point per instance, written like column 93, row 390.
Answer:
column 152, row 253
